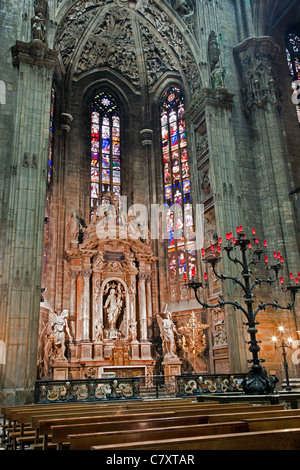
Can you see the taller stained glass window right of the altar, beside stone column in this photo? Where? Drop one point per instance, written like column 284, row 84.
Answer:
column 177, row 193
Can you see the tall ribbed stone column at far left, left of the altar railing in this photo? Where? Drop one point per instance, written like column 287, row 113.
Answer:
column 23, row 260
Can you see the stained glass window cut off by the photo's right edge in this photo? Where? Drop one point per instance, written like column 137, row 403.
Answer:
column 293, row 57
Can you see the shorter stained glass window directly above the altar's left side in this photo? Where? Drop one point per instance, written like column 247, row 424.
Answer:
column 105, row 150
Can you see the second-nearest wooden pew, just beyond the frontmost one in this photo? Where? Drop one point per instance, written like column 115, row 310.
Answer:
column 86, row 441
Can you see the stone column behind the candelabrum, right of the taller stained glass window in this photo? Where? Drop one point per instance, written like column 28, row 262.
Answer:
column 211, row 115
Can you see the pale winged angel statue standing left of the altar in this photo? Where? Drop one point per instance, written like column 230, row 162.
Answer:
column 58, row 329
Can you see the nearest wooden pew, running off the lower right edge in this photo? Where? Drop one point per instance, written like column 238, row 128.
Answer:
column 279, row 439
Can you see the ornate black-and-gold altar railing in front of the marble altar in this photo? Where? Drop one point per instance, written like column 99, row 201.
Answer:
column 142, row 387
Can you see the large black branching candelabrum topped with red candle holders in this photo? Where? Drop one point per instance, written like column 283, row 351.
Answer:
column 238, row 250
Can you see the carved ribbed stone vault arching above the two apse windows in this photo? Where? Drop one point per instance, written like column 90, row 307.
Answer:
column 139, row 45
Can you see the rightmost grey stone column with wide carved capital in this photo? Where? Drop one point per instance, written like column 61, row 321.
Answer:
column 256, row 57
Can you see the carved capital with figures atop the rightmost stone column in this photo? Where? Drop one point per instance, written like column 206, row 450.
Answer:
column 256, row 58
